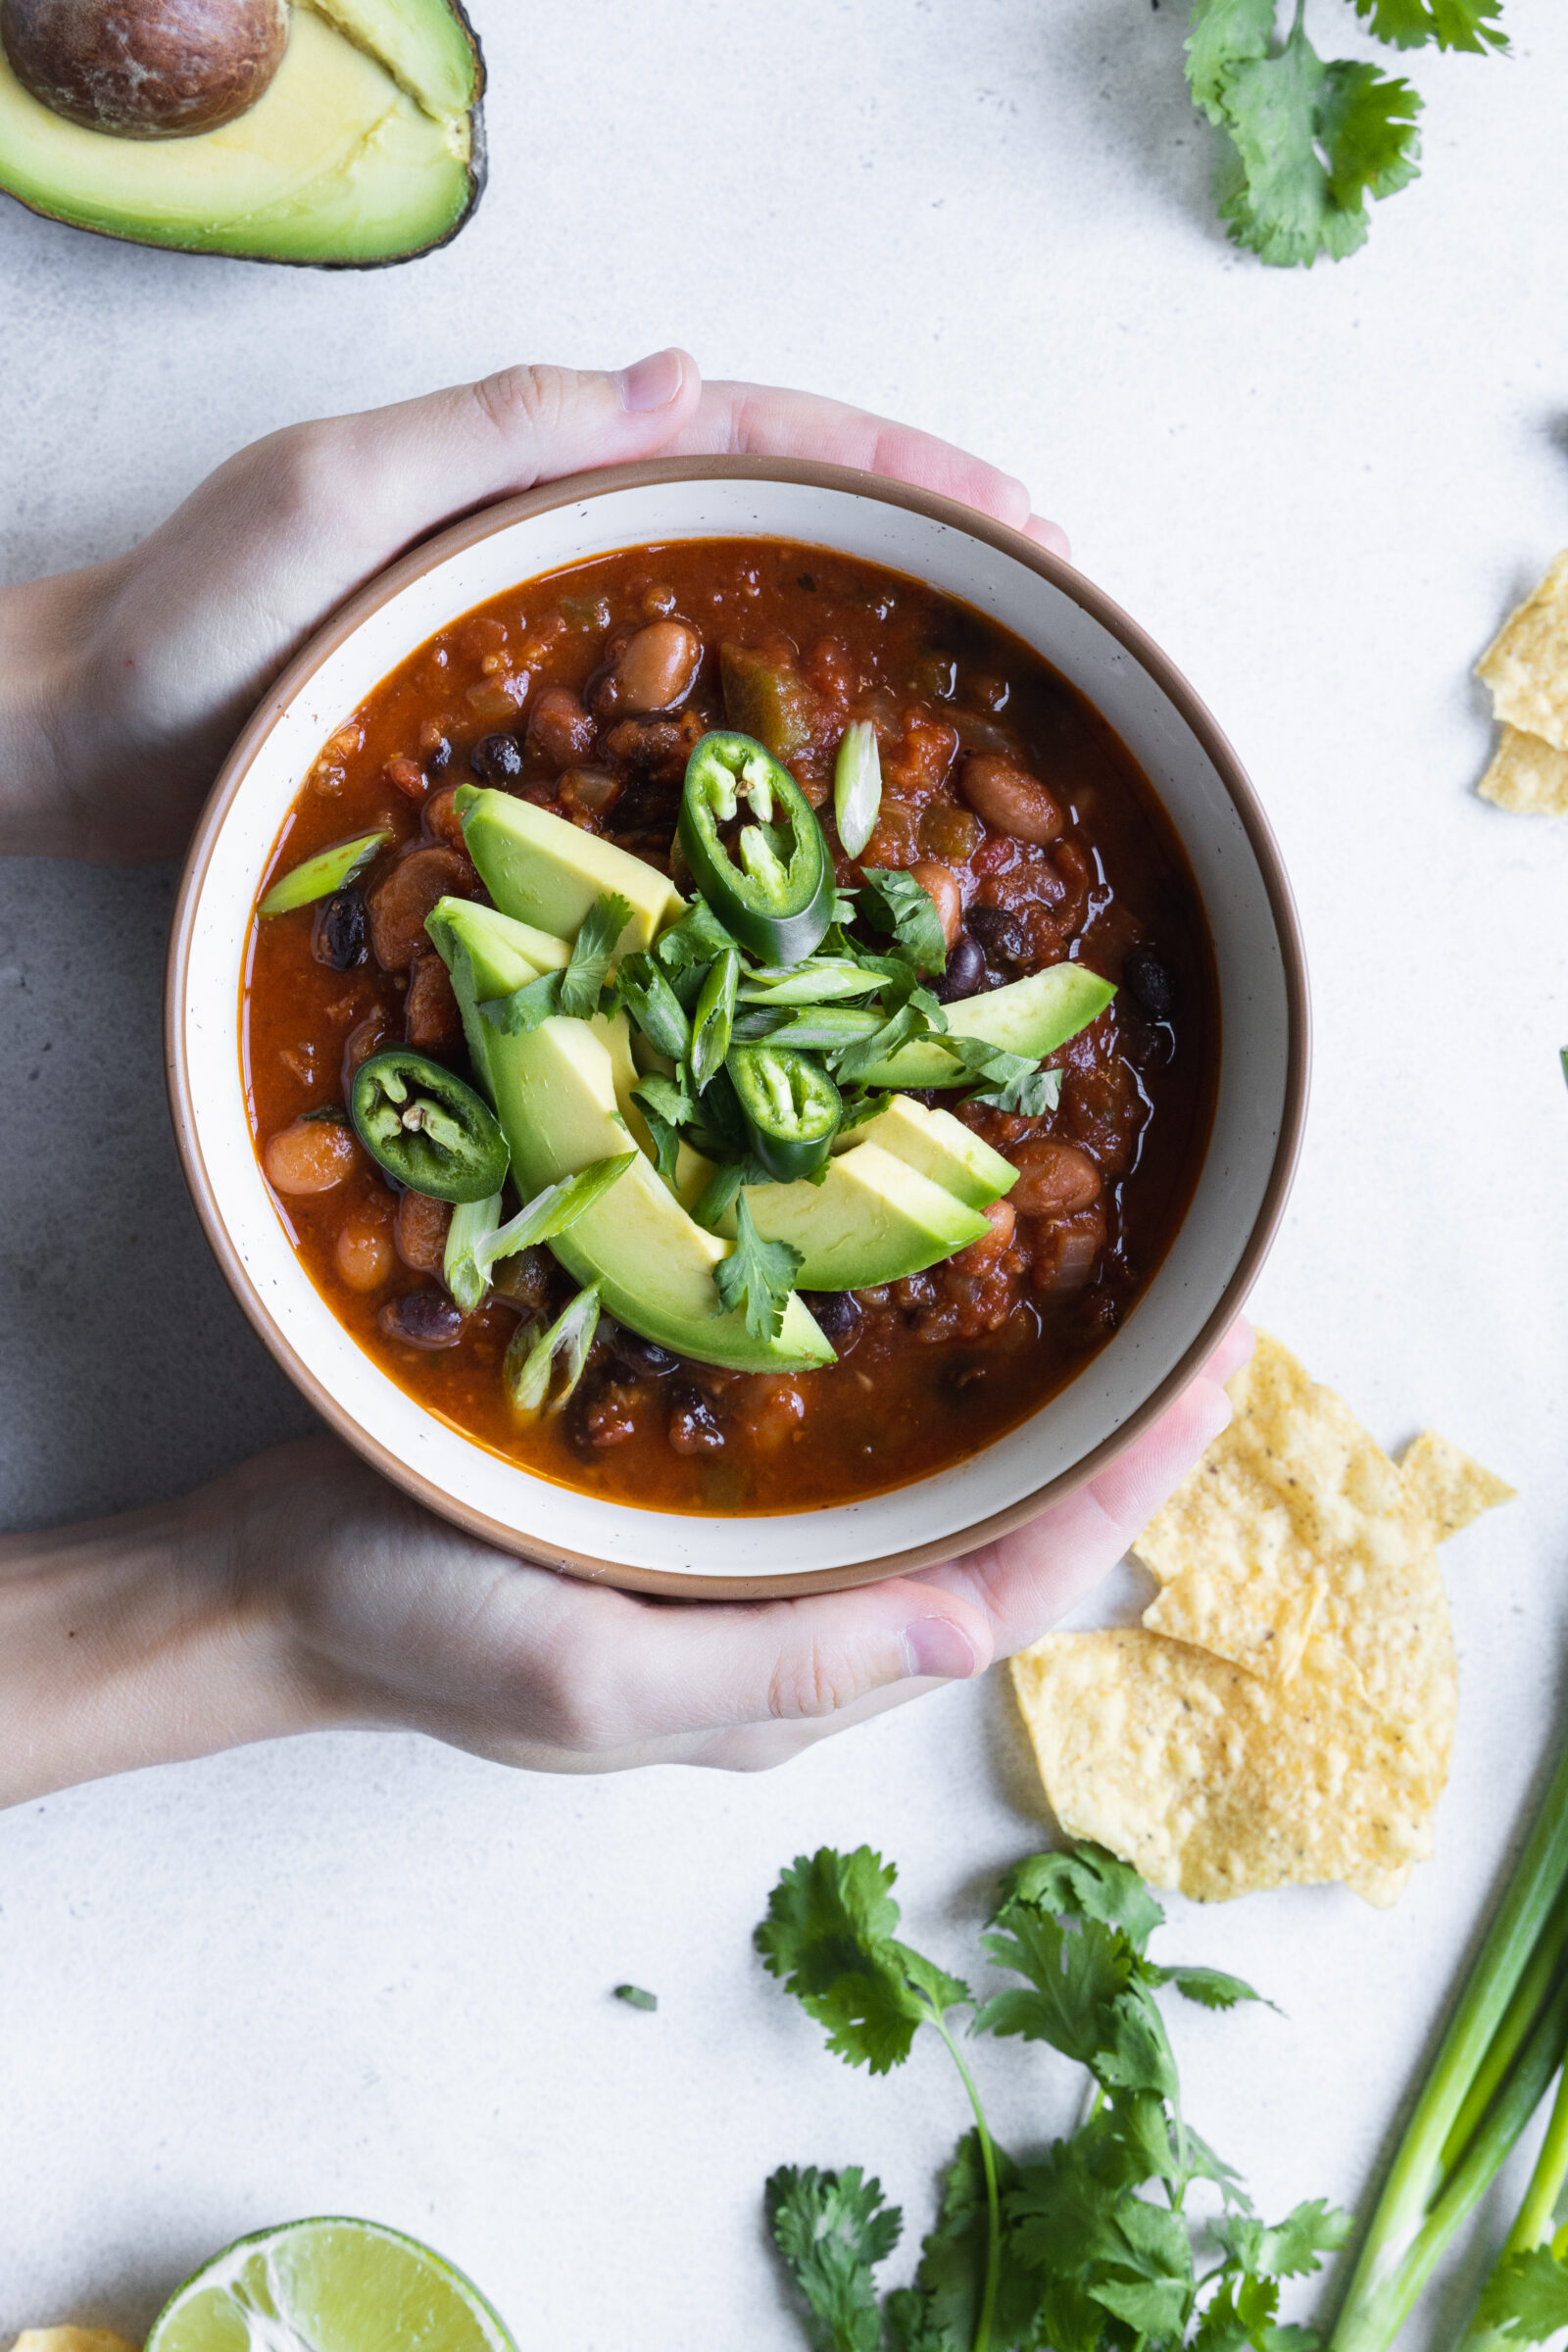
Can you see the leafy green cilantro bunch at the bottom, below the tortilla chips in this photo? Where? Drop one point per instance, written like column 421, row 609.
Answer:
column 1087, row 2247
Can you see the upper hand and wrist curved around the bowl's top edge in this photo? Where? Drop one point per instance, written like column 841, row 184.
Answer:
column 123, row 686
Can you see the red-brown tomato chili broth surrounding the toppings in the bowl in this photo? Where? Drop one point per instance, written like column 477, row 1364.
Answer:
column 951, row 1361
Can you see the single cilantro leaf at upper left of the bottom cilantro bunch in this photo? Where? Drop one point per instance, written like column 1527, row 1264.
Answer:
column 831, row 1939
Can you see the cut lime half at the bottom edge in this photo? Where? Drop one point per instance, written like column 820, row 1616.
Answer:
column 328, row 2287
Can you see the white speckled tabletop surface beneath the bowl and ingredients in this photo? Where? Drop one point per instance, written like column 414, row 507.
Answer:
column 370, row 1975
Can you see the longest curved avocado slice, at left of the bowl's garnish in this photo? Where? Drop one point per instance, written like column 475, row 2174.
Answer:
column 558, row 1102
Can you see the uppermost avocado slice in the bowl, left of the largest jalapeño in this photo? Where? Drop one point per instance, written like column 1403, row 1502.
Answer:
column 547, row 871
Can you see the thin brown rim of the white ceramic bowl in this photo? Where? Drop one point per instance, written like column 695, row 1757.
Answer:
column 575, row 490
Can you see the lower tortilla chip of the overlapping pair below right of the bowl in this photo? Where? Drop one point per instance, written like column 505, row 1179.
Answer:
column 1214, row 1782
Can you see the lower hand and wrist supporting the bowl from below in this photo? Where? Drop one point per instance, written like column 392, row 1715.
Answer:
column 302, row 1593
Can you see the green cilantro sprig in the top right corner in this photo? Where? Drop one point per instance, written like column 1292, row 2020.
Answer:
column 1311, row 138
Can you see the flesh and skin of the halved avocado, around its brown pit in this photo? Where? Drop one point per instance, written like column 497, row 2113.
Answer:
column 368, row 147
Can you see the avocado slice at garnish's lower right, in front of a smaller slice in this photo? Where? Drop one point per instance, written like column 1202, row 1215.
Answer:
column 873, row 1220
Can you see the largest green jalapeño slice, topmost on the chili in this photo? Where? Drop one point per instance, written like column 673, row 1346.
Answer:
column 777, row 890
